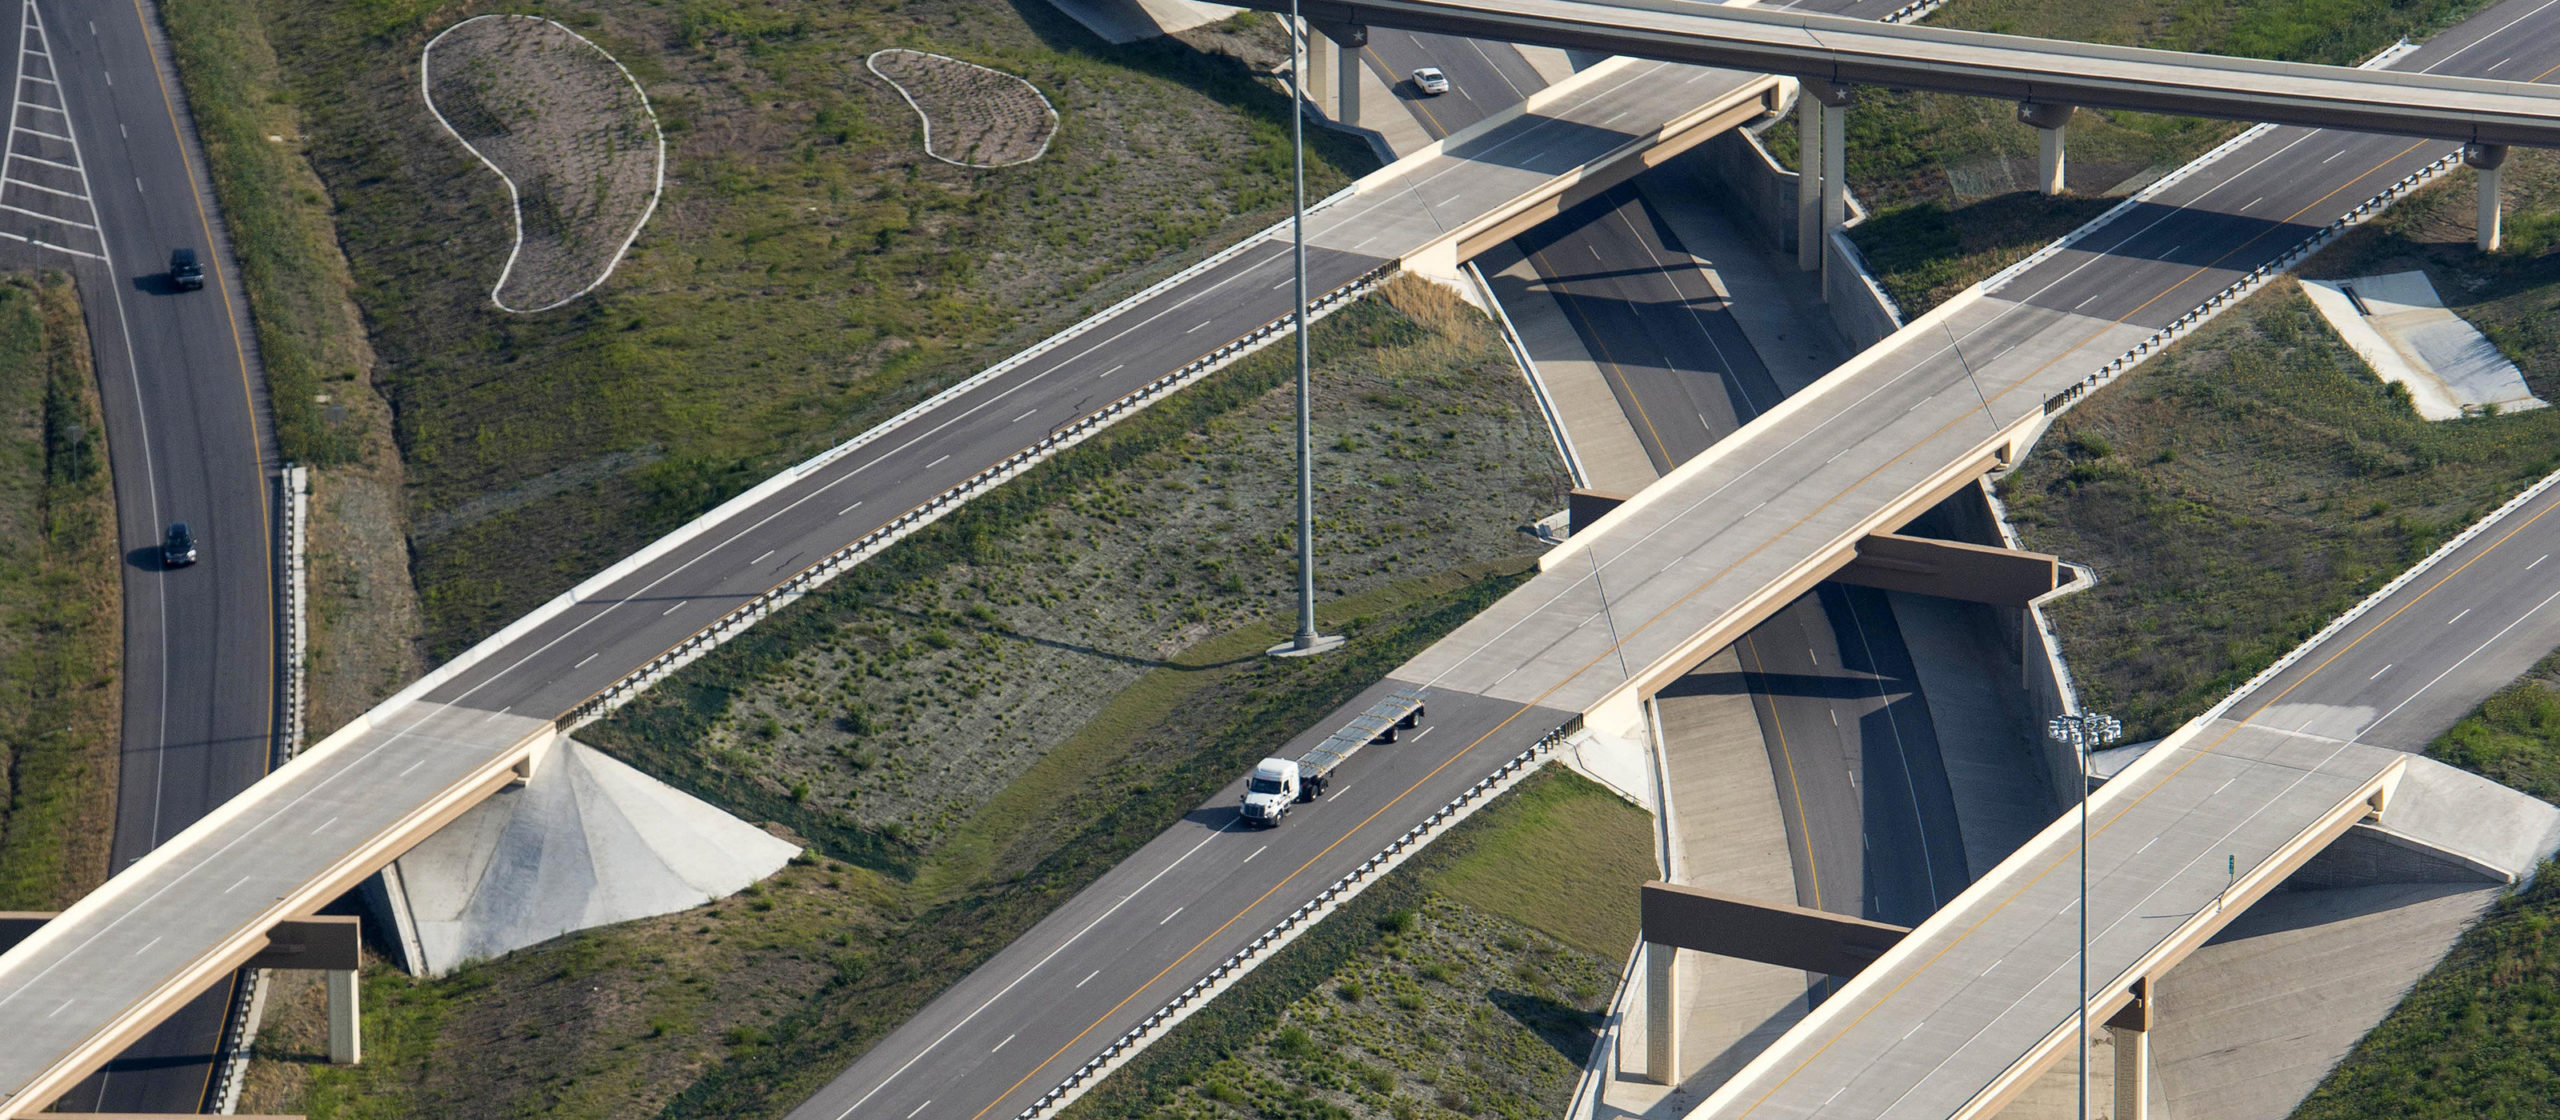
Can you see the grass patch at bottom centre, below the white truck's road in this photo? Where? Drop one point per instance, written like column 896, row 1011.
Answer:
column 1473, row 981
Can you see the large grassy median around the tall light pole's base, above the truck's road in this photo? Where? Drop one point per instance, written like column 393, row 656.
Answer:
column 1107, row 623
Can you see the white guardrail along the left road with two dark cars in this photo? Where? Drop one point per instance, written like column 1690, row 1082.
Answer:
column 293, row 697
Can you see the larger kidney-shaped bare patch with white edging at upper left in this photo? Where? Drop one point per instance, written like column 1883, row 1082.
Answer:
column 570, row 132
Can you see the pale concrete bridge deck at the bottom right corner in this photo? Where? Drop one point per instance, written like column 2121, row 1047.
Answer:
column 1970, row 1006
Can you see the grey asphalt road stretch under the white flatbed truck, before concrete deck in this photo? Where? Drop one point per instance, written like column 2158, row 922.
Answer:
column 1161, row 919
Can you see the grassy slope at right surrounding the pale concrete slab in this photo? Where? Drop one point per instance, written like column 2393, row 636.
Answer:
column 2257, row 479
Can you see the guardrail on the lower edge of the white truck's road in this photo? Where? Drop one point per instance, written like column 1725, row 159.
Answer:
column 1317, row 909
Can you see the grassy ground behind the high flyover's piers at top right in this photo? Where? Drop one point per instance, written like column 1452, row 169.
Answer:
column 1952, row 180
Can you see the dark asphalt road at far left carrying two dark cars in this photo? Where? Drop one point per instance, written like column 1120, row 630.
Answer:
column 104, row 183
